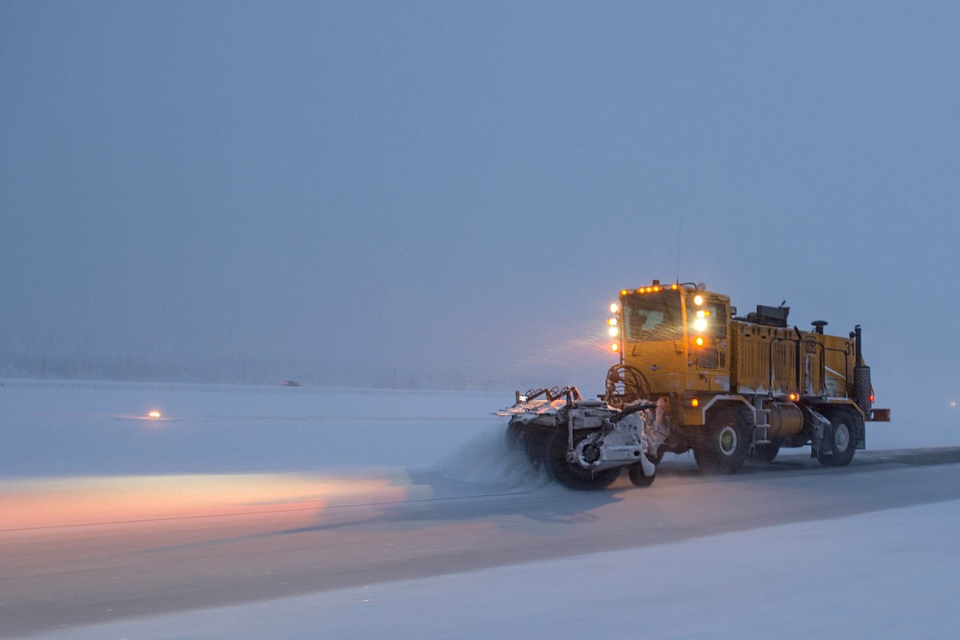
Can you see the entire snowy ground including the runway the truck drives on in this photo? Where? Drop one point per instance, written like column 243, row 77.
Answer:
column 383, row 547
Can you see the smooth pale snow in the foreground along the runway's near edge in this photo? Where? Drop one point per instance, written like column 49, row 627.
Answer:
column 888, row 574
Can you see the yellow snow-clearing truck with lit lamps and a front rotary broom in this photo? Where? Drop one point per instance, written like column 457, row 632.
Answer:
column 693, row 375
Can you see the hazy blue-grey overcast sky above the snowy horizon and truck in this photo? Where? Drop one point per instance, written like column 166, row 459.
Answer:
column 464, row 186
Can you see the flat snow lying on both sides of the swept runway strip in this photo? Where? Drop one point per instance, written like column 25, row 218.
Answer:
column 880, row 574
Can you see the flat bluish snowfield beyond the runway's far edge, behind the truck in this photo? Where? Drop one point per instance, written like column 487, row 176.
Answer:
column 77, row 428
